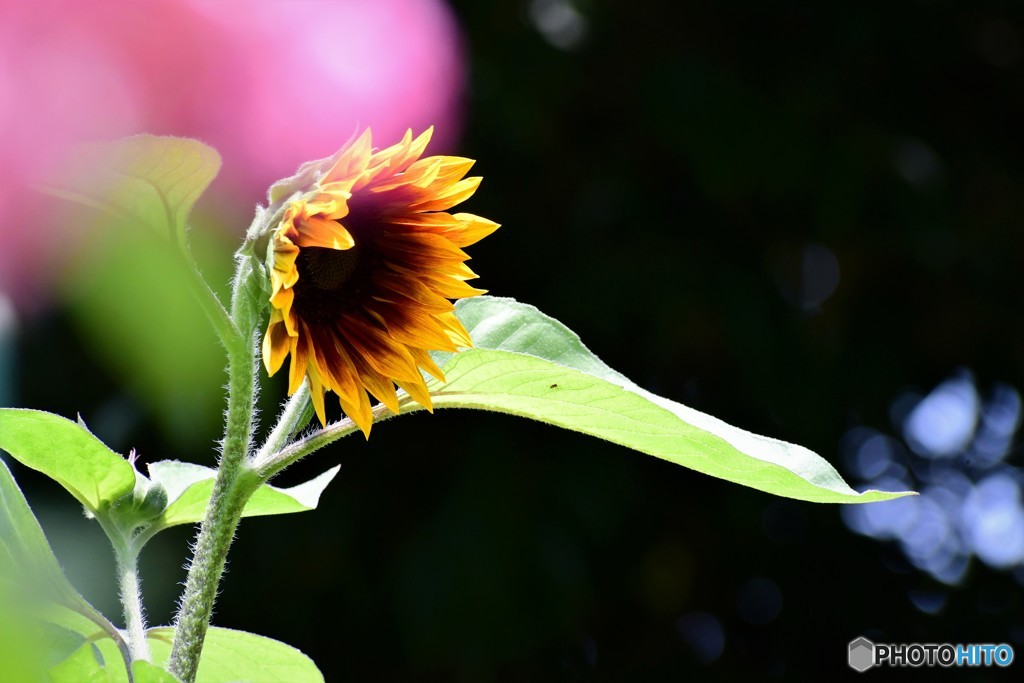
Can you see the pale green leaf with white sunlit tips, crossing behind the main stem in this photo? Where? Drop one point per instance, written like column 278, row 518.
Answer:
column 189, row 488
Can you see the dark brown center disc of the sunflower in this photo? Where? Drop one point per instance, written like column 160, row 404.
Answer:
column 331, row 282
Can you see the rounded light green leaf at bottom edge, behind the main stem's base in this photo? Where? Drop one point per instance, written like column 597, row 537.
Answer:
column 236, row 656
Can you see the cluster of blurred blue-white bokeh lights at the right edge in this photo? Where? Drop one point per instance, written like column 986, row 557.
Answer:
column 971, row 500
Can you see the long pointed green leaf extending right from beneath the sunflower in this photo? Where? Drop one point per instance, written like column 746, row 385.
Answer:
column 528, row 364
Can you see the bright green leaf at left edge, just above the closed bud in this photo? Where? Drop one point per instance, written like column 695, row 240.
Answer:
column 68, row 453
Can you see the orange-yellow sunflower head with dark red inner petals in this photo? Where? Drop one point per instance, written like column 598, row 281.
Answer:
column 364, row 267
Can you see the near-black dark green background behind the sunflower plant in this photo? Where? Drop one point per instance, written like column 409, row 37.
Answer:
column 657, row 187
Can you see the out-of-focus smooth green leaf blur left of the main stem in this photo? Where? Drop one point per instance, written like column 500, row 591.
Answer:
column 129, row 295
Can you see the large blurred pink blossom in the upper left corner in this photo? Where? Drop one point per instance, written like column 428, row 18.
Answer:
column 270, row 83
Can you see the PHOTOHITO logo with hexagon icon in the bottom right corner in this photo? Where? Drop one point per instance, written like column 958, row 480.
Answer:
column 863, row 655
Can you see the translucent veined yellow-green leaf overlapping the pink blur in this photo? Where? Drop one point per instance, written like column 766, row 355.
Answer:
column 150, row 180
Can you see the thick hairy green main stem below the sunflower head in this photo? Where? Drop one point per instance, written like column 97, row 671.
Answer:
column 234, row 486
